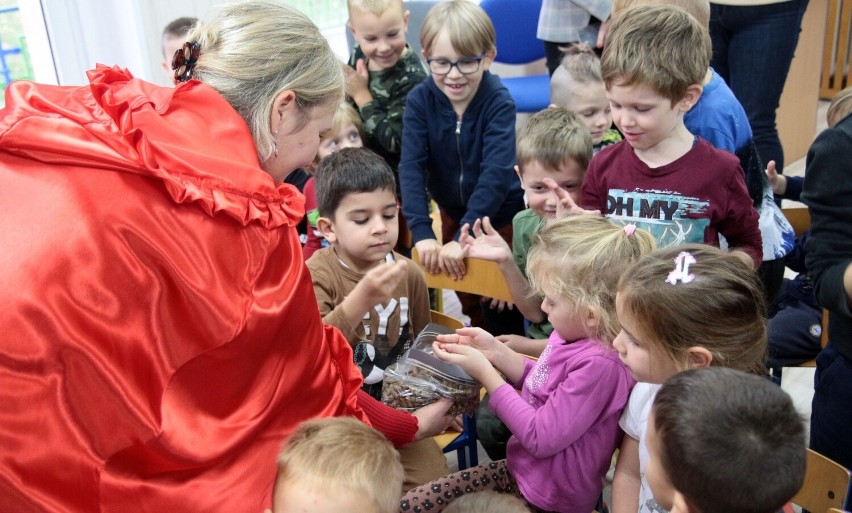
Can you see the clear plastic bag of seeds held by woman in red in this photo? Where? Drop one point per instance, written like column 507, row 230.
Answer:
column 419, row 378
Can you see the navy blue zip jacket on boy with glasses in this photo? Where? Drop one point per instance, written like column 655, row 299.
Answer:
column 466, row 164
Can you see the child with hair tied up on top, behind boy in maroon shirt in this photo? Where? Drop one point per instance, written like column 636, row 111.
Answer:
column 577, row 85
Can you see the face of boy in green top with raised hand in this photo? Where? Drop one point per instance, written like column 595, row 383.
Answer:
column 541, row 200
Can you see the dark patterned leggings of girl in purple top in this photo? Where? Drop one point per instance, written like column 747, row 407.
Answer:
column 435, row 496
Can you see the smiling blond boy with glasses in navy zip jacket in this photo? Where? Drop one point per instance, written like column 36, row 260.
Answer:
column 458, row 141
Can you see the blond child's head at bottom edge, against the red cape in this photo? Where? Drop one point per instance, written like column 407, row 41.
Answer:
column 337, row 464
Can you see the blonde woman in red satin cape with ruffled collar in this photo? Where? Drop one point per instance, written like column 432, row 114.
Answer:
column 159, row 337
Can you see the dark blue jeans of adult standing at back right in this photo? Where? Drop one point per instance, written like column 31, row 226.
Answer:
column 752, row 50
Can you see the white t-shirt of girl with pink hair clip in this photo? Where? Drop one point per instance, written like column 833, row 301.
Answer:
column 634, row 422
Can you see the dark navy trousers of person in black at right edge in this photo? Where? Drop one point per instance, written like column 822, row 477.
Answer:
column 831, row 416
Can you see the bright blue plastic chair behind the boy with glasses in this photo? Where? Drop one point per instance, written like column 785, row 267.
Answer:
column 516, row 23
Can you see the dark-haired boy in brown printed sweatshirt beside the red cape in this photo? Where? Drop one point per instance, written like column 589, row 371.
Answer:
column 377, row 298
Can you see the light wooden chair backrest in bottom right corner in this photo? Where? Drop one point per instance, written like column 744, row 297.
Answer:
column 826, row 485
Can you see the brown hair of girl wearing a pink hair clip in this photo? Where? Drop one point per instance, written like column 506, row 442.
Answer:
column 722, row 309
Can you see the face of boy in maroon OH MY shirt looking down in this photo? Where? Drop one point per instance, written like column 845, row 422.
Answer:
column 646, row 119
